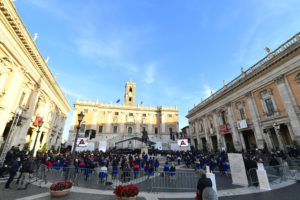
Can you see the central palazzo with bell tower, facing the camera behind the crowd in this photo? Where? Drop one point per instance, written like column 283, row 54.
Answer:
column 113, row 122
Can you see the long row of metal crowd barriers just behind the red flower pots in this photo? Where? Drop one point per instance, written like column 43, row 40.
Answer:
column 94, row 178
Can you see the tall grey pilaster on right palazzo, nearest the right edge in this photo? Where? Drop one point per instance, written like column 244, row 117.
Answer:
column 288, row 102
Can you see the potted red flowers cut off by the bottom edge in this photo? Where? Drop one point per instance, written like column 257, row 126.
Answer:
column 128, row 192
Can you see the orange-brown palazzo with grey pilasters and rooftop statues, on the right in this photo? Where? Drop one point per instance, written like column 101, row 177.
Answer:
column 258, row 109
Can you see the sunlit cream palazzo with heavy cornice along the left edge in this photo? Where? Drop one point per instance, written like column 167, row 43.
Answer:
column 28, row 90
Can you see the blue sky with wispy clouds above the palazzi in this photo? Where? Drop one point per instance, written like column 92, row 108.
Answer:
column 176, row 51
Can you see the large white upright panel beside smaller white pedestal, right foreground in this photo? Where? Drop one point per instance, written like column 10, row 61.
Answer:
column 237, row 168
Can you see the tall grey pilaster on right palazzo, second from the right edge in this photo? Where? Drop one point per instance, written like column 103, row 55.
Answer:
column 255, row 119
